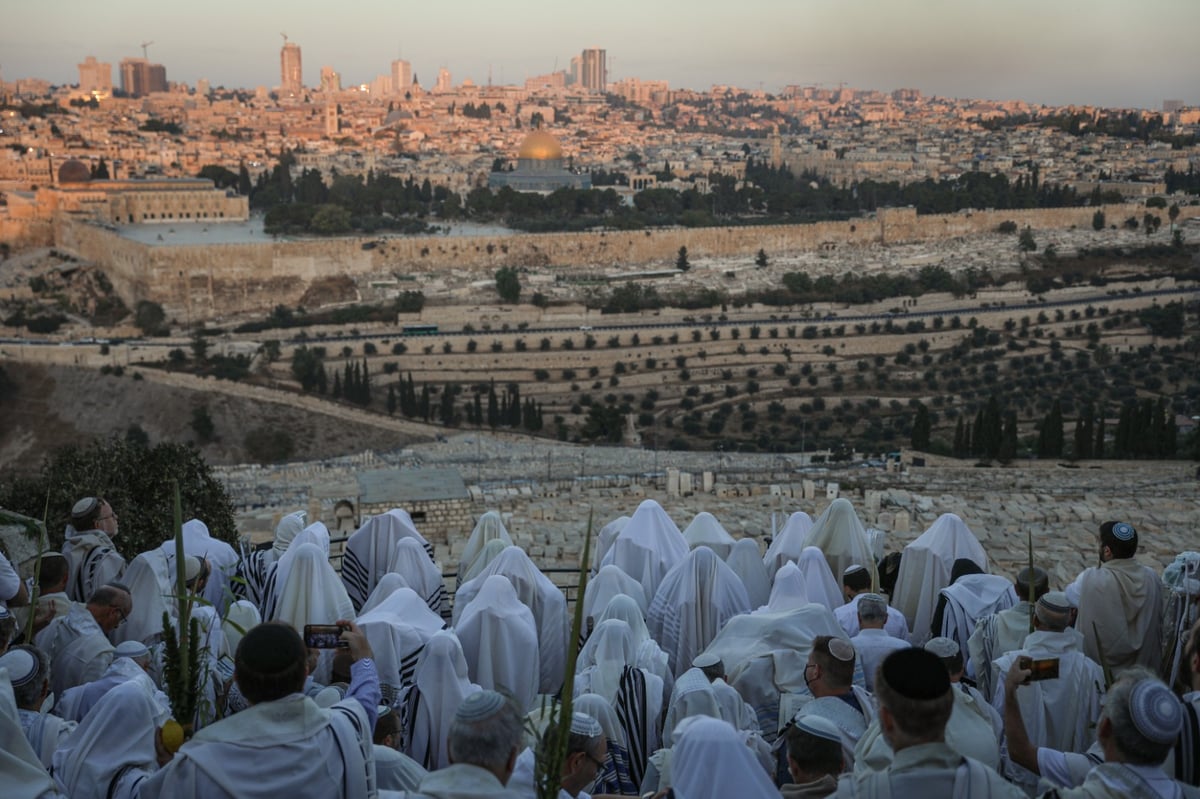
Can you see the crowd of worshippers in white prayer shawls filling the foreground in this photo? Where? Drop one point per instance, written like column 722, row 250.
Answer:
column 706, row 668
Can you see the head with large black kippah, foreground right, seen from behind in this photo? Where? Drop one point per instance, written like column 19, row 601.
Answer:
column 914, row 692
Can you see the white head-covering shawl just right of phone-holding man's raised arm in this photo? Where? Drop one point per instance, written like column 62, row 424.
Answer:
column 441, row 684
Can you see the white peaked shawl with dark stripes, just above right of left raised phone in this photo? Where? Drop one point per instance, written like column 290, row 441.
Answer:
column 398, row 630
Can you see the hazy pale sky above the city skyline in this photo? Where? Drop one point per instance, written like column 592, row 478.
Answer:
column 1132, row 53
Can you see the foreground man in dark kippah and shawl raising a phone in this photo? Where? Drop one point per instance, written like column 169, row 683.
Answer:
column 284, row 746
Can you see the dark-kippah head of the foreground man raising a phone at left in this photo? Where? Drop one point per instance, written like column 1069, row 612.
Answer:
column 271, row 664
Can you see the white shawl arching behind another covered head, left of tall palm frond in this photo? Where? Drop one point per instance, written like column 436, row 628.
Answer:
column 544, row 600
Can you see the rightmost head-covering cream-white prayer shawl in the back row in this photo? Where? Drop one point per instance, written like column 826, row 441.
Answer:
column 926, row 570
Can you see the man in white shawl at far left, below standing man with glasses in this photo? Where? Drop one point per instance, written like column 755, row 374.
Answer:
column 77, row 644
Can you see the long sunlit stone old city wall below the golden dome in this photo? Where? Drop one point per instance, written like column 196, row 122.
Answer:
column 217, row 280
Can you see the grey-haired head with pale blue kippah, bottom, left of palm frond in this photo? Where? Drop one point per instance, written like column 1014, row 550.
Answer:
column 487, row 732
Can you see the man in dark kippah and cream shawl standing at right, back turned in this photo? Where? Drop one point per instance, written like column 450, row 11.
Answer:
column 1120, row 604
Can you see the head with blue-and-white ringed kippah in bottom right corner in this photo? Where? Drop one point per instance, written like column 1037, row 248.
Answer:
column 1141, row 722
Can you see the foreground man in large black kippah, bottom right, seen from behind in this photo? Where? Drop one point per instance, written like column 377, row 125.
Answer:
column 916, row 701
